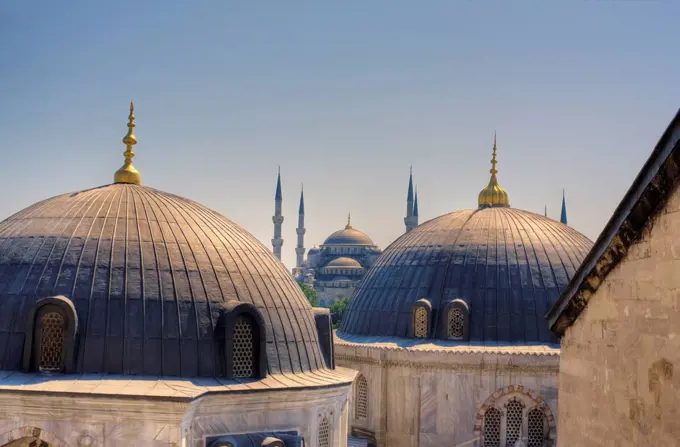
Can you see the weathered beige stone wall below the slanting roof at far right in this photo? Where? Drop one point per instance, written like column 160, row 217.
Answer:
column 619, row 373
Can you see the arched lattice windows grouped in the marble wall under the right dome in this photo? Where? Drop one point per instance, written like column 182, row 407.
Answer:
column 506, row 423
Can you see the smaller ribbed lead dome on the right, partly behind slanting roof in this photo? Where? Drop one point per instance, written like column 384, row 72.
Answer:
column 508, row 265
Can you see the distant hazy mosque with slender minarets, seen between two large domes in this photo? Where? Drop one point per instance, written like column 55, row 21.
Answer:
column 338, row 265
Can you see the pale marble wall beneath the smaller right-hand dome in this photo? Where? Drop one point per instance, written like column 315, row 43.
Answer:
column 428, row 399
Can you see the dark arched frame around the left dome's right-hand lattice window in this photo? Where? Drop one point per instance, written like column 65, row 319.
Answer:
column 224, row 333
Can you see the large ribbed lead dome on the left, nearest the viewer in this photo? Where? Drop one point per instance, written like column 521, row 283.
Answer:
column 147, row 272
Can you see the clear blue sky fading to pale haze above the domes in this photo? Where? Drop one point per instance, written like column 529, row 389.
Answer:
column 344, row 96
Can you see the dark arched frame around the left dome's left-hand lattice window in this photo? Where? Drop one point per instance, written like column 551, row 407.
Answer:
column 32, row 344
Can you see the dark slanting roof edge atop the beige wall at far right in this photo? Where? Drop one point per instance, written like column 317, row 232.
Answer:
column 649, row 191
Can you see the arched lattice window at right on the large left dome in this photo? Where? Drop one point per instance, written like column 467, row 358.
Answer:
column 240, row 335
